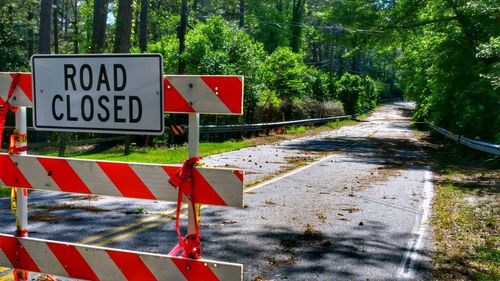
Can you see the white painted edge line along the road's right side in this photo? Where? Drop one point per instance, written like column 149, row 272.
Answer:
column 407, row 267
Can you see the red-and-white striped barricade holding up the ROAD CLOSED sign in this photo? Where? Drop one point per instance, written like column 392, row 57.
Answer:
column 213, row 186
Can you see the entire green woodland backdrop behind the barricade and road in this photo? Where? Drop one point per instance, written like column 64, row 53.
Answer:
column 296, row 54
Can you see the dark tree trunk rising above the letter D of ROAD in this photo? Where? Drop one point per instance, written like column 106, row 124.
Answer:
column 123, row 27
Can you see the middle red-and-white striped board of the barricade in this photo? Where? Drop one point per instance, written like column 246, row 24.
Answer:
column 214, row 186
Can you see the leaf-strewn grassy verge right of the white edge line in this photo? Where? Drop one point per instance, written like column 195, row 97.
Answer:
column 466, row 216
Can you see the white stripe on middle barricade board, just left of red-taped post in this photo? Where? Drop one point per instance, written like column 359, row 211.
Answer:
column 156, row 179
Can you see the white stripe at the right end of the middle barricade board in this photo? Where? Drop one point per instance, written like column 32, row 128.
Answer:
column 226, row 184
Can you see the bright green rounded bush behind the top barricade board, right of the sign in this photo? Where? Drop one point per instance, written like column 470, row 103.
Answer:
column 215, row 47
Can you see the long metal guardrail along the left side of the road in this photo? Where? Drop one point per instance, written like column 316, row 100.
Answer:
column 266, row 126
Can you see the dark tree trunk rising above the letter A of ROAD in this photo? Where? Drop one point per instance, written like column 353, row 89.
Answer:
column 99, row 25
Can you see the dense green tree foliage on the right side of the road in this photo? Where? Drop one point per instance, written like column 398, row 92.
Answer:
column 451, row 66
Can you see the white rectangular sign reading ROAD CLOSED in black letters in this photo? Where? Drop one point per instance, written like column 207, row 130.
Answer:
column 115, row 93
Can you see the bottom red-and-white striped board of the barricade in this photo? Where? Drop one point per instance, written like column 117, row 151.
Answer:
column 98, row 263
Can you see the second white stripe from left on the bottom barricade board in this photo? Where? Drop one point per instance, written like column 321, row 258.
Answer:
column 101, row 264
